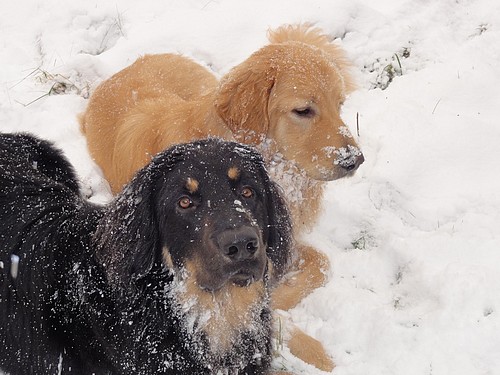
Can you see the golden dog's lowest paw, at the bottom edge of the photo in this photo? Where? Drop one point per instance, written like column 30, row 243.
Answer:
column 309, row 350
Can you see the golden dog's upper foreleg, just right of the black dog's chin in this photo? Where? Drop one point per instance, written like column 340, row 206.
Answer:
column 307, row 274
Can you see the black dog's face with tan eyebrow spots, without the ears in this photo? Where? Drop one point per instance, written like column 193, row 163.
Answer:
column 216, row 219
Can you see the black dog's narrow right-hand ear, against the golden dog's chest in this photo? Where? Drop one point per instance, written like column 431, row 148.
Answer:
column 280, row 238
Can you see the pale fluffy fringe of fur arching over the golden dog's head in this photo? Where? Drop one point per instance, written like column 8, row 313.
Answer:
column 308, row 34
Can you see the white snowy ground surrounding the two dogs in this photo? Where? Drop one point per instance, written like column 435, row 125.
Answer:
column 413, row 237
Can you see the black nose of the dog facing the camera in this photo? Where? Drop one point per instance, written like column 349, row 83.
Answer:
column 239, row 244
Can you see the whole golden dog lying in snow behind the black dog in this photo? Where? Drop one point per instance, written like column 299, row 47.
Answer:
column 285, row 99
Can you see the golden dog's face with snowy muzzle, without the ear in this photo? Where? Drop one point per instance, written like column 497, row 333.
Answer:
column 304, row 108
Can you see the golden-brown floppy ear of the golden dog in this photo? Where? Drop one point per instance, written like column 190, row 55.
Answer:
column 243, row 96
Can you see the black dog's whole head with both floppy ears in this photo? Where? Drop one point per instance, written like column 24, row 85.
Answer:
column 206, row 209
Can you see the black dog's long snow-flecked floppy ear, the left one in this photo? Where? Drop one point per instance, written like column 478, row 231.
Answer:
column 127, row 238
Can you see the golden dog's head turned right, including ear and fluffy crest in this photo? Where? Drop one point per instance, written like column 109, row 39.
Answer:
column 290, row 93
